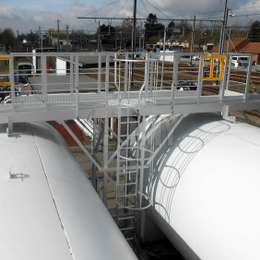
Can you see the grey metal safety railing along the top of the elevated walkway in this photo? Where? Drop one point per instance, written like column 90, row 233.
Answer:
column 67, row 78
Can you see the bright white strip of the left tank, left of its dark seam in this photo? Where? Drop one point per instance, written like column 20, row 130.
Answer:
column 29, row 225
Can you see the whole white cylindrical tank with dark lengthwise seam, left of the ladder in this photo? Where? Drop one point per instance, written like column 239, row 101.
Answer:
column 49, row 210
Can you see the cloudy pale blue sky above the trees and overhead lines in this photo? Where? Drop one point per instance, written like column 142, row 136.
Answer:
column 34, row 13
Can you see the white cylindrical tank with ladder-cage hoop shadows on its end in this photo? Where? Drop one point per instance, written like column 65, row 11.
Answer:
column 206, row 198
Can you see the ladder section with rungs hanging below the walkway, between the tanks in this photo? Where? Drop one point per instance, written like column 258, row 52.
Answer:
column 128, row 167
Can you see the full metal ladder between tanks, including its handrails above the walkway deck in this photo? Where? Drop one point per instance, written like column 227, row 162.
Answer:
column 130, row 157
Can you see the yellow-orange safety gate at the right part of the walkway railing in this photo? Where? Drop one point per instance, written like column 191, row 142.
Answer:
column 216, row 67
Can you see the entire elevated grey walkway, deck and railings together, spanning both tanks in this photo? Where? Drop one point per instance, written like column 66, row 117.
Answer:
column 148, row 86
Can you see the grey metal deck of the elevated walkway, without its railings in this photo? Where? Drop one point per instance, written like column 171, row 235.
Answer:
column 57, row 107
